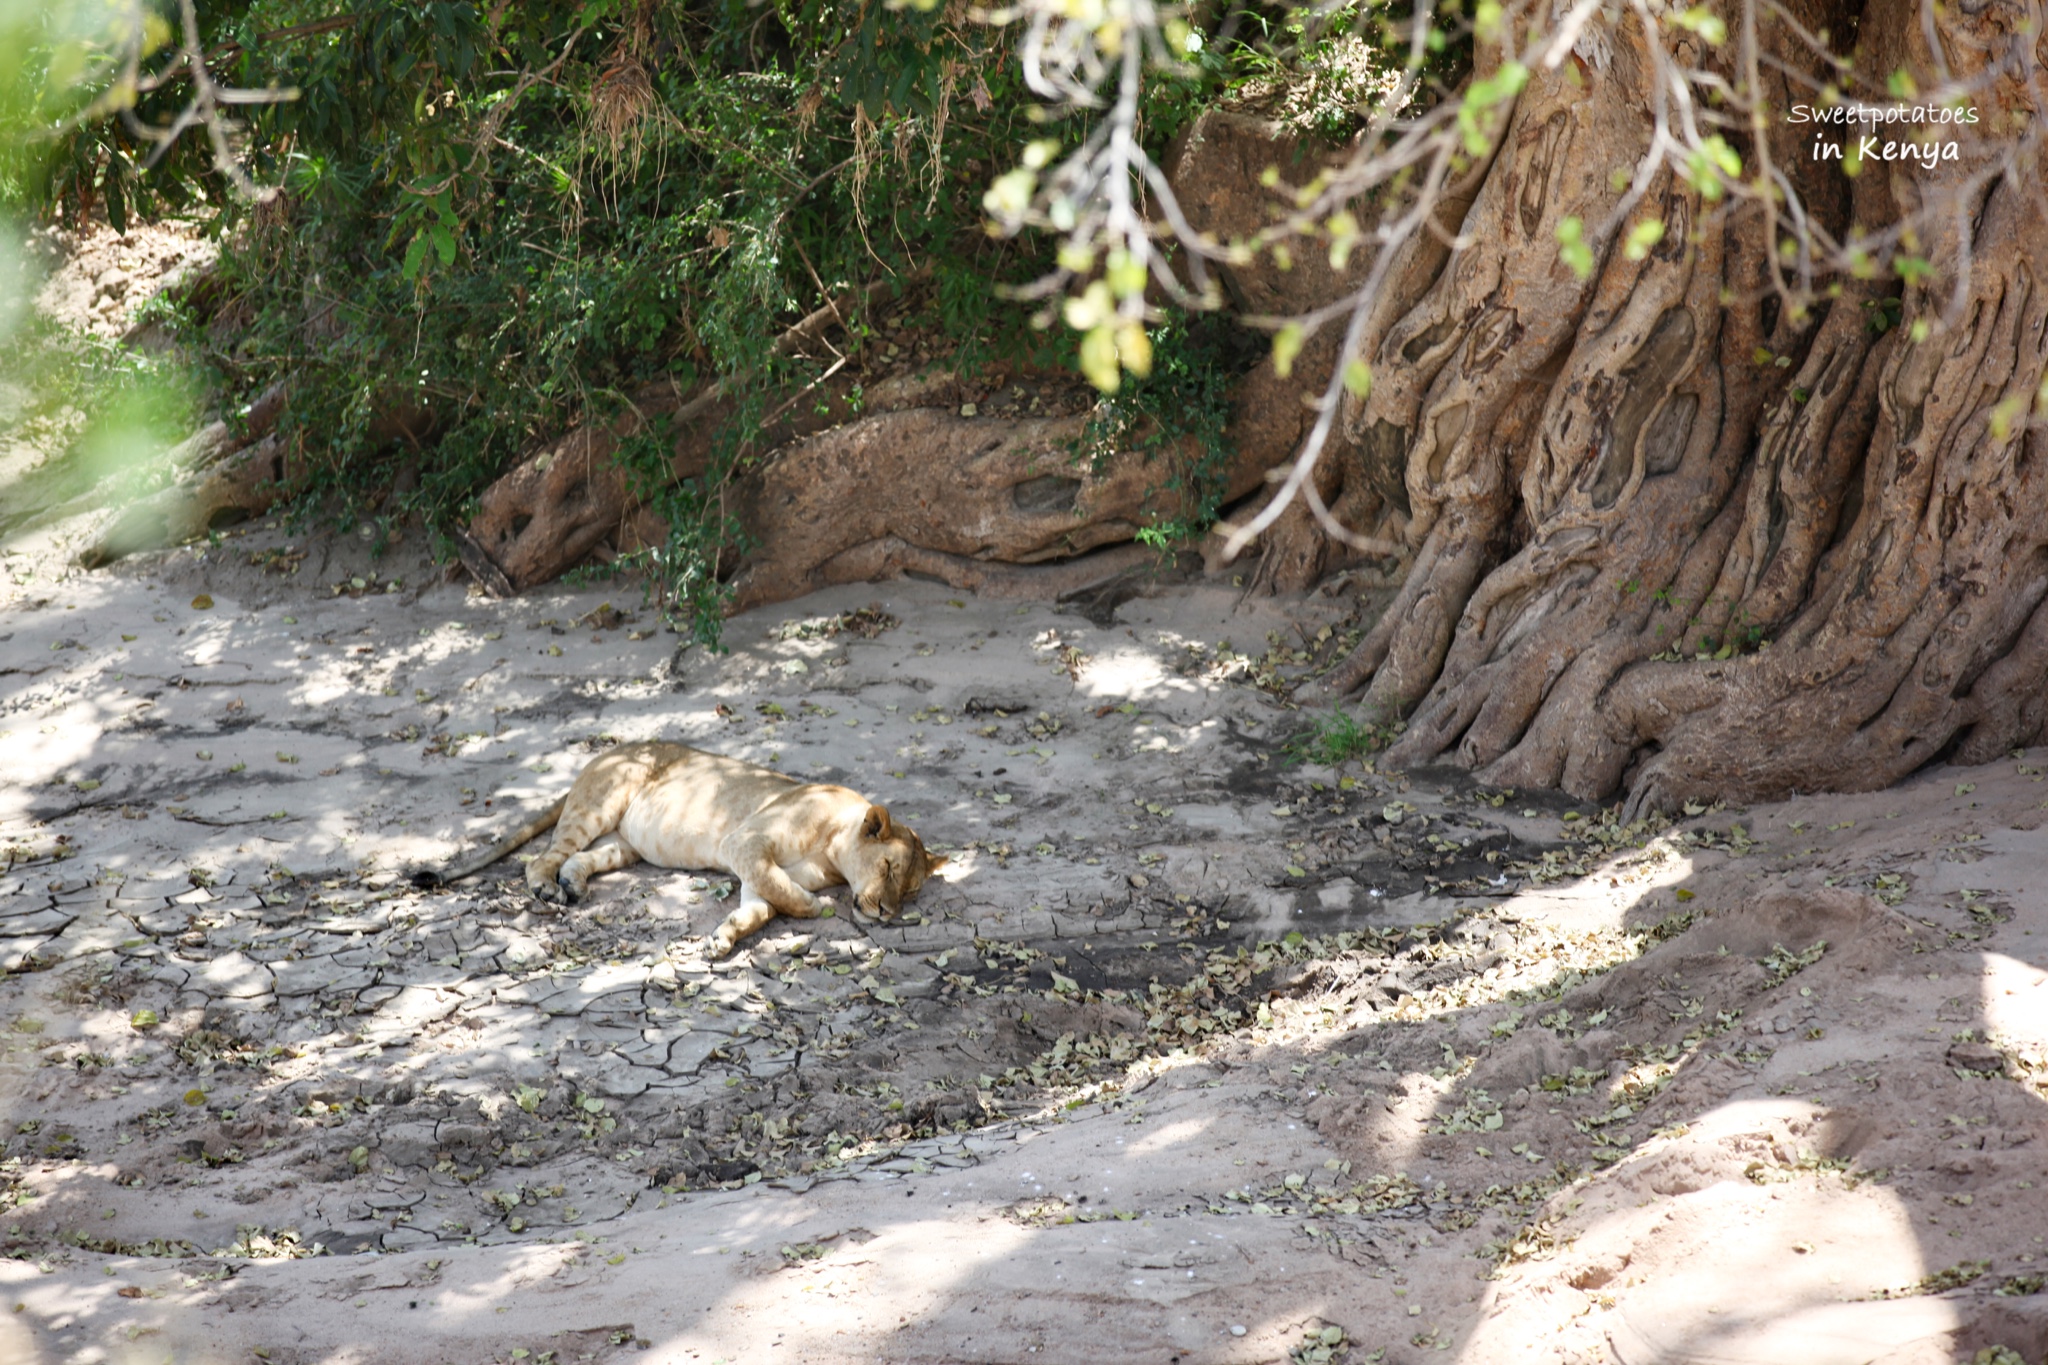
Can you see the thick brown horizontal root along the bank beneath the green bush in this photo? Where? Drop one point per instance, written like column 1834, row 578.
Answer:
column 859, row 480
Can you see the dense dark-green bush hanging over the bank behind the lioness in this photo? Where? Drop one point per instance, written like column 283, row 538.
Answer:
column 503, row 232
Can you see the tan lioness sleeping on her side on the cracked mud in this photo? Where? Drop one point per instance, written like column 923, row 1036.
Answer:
column 681, row 807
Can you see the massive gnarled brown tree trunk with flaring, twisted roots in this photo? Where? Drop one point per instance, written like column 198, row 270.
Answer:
column 1650, row 556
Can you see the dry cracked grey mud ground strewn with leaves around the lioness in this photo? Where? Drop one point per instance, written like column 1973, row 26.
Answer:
column 1191, row 1053
